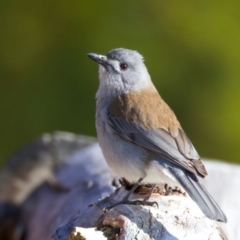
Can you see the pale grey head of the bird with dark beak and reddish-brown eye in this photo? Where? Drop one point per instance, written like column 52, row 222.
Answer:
column 122, row 70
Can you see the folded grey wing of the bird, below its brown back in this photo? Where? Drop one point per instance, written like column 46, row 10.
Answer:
column 173, row 145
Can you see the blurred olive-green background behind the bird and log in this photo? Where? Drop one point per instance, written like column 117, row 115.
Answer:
column 191, row 49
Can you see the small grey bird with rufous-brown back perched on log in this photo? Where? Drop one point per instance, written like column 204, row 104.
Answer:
column 140, row 136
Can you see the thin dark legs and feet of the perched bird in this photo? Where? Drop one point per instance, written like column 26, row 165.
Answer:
column 126, row 200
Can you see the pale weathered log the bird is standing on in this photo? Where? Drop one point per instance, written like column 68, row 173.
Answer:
column 51, row 212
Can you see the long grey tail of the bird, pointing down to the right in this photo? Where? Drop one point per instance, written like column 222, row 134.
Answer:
column 199, row 194
